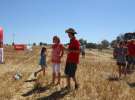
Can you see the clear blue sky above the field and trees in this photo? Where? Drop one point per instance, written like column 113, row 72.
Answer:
column 37, row 21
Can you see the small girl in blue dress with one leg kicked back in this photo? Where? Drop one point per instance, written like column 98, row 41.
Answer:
column 42, row 62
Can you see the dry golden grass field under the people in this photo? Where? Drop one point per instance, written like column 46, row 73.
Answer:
column 96, row 74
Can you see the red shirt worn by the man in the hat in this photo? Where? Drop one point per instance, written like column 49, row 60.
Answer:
column 73, row 57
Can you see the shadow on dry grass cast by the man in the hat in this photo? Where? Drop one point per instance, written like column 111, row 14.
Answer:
column 56, row 95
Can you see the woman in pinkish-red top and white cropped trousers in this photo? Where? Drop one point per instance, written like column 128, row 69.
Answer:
column 57, row 53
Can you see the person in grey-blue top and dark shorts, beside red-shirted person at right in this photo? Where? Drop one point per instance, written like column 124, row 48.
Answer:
column 121, row 53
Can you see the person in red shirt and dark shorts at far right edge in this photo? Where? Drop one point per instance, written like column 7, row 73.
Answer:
column 131, row 53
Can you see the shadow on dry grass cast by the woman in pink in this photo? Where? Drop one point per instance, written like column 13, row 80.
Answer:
column 36, row 90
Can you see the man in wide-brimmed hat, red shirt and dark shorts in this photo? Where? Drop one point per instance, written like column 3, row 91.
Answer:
column 72, row 57
